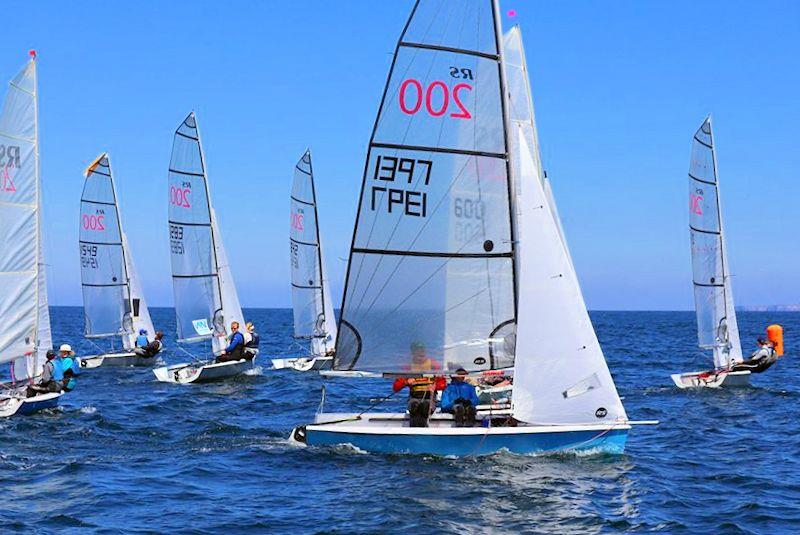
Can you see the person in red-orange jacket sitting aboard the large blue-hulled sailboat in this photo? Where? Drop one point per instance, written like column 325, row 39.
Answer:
column 422, row 390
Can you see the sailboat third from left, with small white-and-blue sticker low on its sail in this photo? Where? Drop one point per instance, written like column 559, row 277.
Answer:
column 206, row 302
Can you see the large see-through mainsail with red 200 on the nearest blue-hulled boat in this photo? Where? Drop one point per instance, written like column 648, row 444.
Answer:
column 432, row 259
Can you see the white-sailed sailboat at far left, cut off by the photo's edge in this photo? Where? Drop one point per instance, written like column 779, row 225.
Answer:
column 25, row 327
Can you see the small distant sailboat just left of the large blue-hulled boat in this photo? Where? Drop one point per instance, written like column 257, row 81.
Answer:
column 311, row 296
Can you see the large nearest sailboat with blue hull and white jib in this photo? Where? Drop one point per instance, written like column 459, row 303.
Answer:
column 457, row 254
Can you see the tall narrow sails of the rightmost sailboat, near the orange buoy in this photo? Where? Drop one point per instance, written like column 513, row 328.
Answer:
column 716, row 318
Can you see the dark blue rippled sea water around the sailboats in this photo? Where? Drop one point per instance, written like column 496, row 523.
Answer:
column 129, row 454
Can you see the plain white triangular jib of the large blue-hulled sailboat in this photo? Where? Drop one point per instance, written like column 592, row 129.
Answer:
column 560, row 373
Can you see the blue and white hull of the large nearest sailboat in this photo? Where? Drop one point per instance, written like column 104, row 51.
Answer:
column 390, row 433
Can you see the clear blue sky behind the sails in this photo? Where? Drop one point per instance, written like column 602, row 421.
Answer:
column 619, row 88
